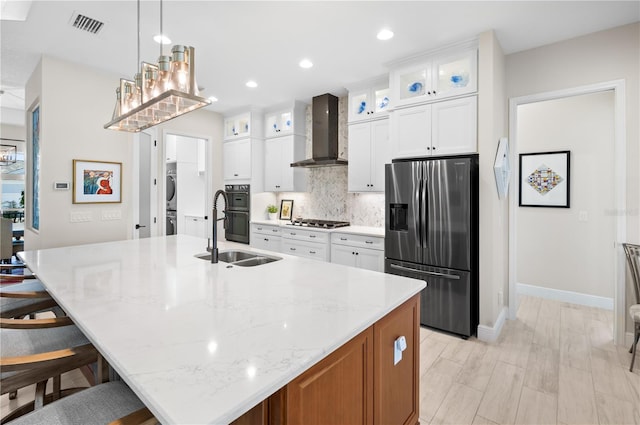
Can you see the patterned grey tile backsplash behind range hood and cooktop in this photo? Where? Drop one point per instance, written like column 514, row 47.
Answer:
column 327, row 197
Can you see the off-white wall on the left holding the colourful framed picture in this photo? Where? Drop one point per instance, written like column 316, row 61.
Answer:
column 75, row 102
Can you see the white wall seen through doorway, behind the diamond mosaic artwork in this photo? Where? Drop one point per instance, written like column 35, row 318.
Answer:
column 556, row 248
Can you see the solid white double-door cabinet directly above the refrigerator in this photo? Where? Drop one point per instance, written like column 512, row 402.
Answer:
column 440, row 128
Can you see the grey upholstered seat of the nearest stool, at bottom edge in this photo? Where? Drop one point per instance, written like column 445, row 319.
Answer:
column 96, row 405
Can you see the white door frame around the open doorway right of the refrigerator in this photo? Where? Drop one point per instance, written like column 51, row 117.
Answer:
column 620, row 190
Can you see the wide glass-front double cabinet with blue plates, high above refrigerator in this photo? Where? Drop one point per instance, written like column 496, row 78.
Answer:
column 432, row 77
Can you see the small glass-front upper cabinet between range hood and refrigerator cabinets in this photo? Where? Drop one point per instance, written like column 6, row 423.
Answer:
column 369, row 100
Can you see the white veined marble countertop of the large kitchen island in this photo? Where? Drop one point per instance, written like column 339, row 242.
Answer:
column 205, row 343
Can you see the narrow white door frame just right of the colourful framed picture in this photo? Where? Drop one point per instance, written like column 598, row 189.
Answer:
column 135, row 189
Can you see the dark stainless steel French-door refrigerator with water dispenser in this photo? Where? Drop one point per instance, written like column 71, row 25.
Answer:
column 431, row 233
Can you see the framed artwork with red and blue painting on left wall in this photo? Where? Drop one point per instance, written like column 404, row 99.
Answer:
column 96, row 182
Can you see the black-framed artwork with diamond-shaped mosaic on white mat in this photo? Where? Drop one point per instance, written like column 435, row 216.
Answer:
column 544, row 179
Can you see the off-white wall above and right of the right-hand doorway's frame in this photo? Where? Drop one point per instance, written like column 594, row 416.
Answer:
column 603, row 56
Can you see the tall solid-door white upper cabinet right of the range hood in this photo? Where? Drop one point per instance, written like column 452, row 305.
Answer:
column 369, row 151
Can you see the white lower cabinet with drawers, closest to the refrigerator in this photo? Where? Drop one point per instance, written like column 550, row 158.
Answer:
column 365, row 252
